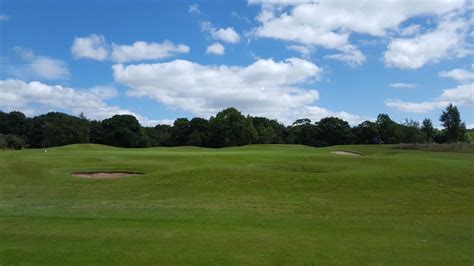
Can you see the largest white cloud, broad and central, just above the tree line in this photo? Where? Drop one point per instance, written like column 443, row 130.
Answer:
column 265, row 88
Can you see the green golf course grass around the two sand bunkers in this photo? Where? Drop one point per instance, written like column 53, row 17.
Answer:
column 262, row 204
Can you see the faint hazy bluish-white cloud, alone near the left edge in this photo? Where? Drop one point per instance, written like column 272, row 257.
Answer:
column 38, row 67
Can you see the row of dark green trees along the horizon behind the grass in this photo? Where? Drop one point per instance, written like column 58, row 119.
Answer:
column 228, row 128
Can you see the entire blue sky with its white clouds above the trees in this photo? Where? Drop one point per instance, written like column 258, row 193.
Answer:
column 161, row 60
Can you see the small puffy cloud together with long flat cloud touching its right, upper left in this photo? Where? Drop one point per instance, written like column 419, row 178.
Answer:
column 95, row 47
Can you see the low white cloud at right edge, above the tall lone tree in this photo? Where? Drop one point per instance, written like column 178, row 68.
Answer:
column 462, row 95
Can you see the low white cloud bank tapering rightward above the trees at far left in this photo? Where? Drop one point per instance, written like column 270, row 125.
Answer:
column 19, row 95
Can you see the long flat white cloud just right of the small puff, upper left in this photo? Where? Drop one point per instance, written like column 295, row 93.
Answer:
column 146, row 51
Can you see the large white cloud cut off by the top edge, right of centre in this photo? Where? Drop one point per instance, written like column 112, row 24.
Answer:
column 329, row 23
